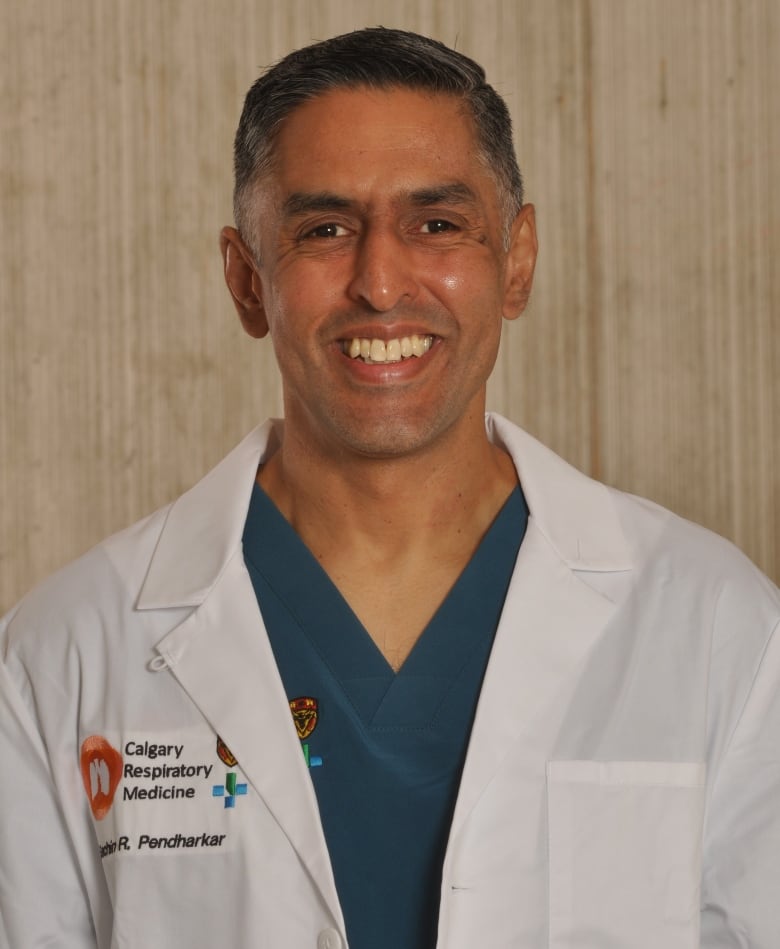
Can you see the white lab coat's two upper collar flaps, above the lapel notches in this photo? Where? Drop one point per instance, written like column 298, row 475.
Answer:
column 575, row 514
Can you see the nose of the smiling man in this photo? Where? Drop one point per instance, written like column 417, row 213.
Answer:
column 384, row 274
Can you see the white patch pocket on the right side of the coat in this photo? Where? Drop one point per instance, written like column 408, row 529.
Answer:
column 625, row 854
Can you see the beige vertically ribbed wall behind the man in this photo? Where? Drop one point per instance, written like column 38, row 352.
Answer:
column 649, row 133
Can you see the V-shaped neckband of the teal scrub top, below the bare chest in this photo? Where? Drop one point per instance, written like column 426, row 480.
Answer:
column 465, row 621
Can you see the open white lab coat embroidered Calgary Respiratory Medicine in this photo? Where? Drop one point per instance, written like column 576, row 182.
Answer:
column 622, row 783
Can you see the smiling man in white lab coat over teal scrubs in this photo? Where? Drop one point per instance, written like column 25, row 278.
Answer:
column 392, row 674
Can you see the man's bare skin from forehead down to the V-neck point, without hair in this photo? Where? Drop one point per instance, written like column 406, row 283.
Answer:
column 382, row 265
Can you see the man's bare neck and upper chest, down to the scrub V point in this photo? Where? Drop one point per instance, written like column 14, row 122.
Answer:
column 392, row 534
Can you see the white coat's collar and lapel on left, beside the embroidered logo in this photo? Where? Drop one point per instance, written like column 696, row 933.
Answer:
column 221, row 655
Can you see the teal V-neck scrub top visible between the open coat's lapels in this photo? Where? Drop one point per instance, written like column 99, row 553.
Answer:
column 385, row 749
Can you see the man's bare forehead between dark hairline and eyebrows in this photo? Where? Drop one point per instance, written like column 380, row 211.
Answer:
column 365, row 140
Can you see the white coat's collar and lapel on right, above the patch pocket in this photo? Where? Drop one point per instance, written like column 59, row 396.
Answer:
column 551, row 619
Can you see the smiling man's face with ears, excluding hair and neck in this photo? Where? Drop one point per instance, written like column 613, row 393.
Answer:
column 382, row 274
